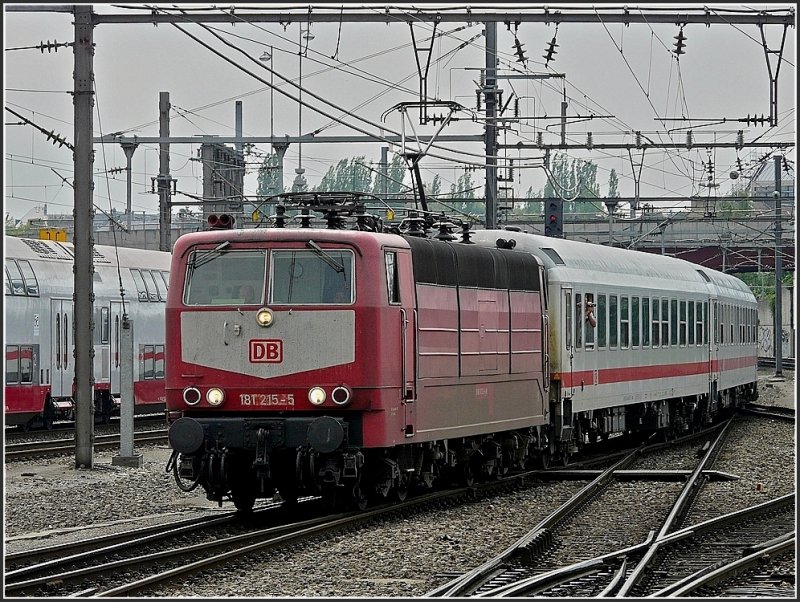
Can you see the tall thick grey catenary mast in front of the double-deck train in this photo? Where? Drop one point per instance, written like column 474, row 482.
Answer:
column 83, row 296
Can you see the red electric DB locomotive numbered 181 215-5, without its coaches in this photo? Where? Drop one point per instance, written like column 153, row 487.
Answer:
column 365, row 362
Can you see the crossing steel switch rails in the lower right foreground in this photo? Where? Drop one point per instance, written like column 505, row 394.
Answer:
column 542, row 563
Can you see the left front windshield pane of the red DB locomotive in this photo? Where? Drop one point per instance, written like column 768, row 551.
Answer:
column 221, row 277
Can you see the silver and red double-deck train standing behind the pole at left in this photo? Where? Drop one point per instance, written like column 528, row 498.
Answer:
column 39, row 337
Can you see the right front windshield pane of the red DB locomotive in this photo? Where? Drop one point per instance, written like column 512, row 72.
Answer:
column 308, row 277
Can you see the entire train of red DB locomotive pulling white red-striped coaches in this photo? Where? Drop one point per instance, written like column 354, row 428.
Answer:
column 370, row 362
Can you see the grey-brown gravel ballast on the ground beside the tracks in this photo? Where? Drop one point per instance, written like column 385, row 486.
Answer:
column 49, row 502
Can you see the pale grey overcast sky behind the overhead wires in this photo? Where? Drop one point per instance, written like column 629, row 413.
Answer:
column 627, row 73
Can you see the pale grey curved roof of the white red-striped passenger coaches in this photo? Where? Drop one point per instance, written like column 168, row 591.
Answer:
column 570, row 260
